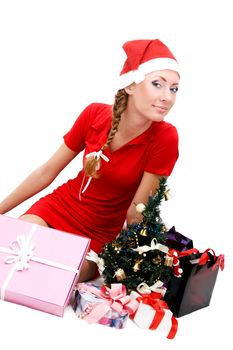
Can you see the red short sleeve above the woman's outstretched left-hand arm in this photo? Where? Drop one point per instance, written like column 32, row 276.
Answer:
column 76, row 136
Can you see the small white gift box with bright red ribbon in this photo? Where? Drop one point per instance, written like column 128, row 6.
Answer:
column 153, row 313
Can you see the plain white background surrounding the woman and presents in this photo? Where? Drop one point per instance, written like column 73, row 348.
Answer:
column 58, row 56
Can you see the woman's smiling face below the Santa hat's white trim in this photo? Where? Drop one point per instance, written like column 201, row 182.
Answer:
column 155, row 95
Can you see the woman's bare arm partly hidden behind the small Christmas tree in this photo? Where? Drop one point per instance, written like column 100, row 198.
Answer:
column 149, row 185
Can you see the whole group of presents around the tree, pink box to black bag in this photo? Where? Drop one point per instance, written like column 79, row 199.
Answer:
column 39, row 268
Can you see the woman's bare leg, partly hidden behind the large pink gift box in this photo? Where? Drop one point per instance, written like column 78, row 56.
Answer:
column 88, row 269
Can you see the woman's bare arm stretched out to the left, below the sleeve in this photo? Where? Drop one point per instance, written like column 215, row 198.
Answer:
column 38, row 179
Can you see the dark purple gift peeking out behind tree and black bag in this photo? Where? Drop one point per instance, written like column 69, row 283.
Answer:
column 178, row 241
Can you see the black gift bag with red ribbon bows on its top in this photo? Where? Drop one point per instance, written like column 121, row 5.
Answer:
column 193, row 290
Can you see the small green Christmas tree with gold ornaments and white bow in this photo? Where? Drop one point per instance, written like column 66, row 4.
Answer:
column 139, row 253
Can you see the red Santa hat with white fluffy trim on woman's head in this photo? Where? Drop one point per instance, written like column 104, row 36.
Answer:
column 143, row 57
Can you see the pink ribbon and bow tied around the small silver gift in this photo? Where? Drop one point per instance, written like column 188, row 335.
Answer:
column 115, row 298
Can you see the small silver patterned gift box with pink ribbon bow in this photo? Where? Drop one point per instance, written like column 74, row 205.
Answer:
column 103, row 305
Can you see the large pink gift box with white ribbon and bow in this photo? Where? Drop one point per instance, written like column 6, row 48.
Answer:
column 39, row 266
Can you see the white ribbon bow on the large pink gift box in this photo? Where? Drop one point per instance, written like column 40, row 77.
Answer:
column 22, row 253
